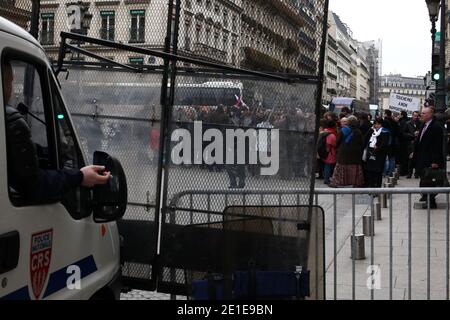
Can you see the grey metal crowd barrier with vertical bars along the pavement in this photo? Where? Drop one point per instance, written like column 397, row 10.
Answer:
column 340, row 197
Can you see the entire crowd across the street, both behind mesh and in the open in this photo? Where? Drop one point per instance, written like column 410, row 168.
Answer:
column 360, row 151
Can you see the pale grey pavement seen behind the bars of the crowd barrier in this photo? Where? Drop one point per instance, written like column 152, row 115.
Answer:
column 381, row 245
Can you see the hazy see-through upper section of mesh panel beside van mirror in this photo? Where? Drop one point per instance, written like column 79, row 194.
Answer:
column 127, row 126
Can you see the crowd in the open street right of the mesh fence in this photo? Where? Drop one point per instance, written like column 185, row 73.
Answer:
column 361, row 150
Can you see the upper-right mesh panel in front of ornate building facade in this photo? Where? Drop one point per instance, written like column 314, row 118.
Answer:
column 280, row 36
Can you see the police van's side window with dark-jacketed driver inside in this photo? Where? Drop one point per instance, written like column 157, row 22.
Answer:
column 27, row 128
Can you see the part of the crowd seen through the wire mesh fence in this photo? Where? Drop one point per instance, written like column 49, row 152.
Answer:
column 296, row 129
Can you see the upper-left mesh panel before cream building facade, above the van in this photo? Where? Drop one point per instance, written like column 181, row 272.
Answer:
column 137, row 22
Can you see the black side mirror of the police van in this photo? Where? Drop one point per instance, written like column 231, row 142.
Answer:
column 110, row 200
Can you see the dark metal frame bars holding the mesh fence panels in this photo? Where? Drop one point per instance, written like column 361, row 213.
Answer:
column 170, row 71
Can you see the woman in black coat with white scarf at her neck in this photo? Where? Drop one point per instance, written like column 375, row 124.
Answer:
column 377, row 143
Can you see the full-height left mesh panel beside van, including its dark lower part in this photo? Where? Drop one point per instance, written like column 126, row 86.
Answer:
column 119, row 112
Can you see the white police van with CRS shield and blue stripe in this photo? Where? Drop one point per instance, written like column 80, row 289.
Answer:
column 65, row 250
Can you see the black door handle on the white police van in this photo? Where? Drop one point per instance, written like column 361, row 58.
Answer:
column 9, row 251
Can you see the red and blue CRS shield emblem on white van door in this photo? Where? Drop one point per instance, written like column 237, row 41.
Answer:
column 40, row 258
